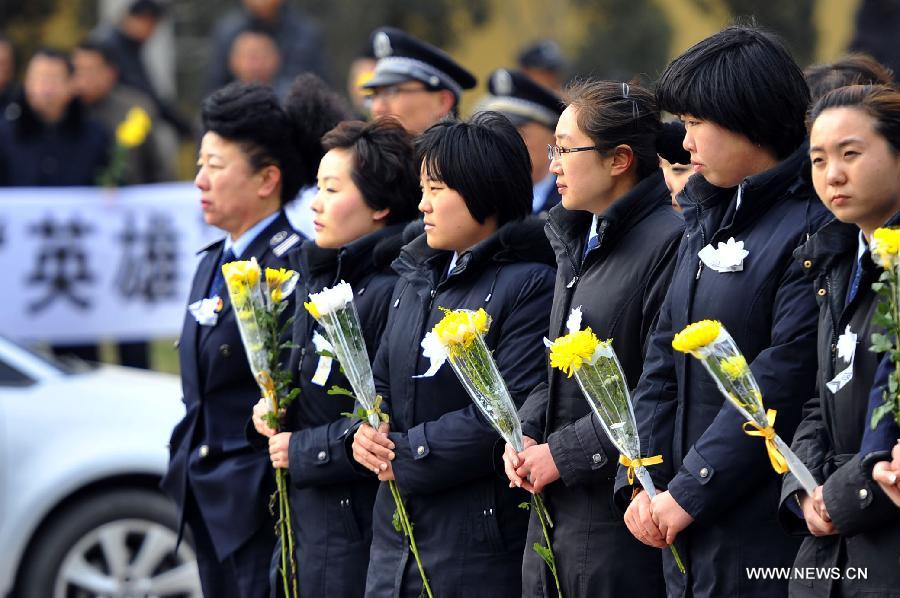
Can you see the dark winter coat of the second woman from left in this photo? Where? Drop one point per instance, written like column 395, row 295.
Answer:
column 331, row 501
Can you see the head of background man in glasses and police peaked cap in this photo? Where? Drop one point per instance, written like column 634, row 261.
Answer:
column 414, row 81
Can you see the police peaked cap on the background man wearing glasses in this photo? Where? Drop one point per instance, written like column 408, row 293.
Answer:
column 401, row 57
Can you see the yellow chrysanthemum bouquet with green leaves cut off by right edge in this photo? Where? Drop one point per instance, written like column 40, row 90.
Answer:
column 886, row 251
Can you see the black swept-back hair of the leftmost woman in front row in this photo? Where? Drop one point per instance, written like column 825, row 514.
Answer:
column 251, row 116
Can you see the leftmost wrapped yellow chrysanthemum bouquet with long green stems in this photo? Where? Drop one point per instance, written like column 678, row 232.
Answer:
column 258, row 302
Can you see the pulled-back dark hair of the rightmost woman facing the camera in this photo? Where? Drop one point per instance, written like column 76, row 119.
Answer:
column 881, row 102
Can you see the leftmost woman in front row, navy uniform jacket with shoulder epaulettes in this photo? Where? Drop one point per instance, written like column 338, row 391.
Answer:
column 219, row 482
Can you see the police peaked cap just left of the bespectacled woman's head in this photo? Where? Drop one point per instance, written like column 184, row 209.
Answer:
column 518, row 97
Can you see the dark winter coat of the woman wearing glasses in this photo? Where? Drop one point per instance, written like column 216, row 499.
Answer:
column 619, row 286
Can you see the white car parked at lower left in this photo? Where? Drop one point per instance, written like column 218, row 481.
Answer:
column 82, row 453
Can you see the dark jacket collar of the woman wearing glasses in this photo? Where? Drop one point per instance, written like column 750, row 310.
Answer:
column 646, row 196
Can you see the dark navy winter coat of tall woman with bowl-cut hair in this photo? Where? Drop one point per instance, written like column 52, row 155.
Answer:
column 713, row 470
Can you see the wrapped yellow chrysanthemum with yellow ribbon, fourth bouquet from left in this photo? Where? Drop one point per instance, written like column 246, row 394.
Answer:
column 599, row 376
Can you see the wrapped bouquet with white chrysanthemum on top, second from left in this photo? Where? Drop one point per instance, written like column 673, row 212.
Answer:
column 334, row 310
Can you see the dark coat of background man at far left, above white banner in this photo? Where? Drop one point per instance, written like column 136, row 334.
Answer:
column 72, row 152
